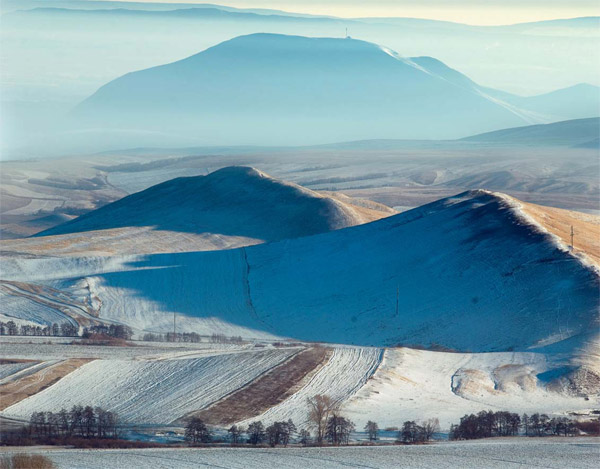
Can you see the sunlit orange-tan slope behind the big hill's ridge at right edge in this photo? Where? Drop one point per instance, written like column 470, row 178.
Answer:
column 559, row 222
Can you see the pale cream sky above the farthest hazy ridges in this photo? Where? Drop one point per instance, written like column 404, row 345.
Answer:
column 464, row 11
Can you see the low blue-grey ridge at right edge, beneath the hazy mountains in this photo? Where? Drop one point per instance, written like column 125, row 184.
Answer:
column 571, row 133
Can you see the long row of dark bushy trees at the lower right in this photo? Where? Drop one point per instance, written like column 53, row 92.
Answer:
column 488, row 424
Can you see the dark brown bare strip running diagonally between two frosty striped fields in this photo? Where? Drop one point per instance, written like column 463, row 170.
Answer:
column 266, row 391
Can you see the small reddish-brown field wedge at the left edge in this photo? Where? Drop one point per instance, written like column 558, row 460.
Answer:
column 16, row 391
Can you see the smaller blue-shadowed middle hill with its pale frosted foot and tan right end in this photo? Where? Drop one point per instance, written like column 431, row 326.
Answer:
column 232, row 207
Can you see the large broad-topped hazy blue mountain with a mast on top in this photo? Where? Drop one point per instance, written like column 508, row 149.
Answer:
column 276, row 89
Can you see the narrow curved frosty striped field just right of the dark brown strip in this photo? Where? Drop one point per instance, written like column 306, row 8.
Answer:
column 340, row 378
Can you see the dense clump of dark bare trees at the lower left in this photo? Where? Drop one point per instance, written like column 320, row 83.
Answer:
column 80, row 421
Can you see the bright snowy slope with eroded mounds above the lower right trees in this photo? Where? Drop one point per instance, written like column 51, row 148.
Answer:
column 418, row 384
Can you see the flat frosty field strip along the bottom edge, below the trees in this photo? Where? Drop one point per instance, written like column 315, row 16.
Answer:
column 505, row 453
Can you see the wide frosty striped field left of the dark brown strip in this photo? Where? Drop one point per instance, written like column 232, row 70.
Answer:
column 152, row 391
